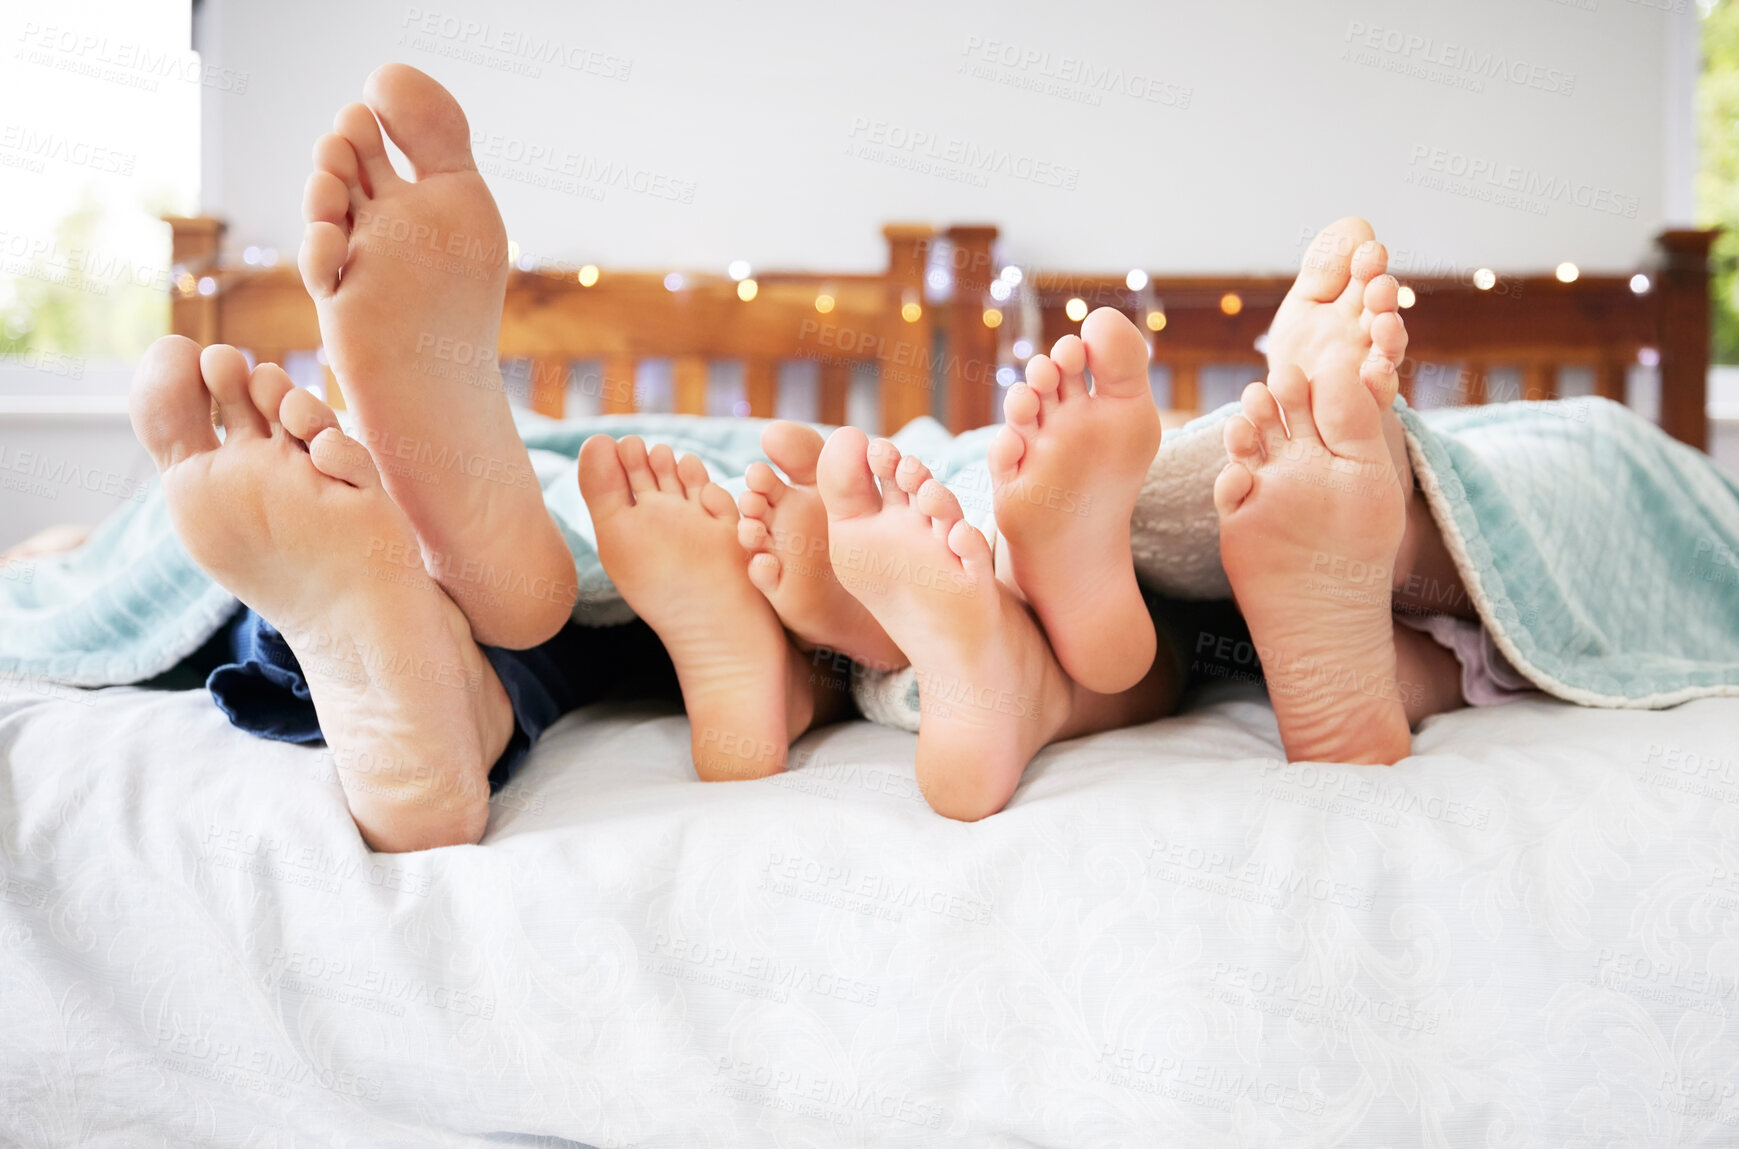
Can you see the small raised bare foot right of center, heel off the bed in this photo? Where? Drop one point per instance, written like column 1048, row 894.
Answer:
column 1067, row 470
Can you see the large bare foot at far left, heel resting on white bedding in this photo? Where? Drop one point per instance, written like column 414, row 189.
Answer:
column 290, row 517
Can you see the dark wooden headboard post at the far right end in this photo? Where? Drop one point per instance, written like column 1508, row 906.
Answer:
column 1684, row 333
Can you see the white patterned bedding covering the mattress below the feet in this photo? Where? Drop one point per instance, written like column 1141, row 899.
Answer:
column 1526, row 934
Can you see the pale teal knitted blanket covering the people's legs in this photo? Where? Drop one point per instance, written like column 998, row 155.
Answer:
column 1602, row 555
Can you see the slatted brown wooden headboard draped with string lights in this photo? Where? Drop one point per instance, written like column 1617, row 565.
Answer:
column 936, row 336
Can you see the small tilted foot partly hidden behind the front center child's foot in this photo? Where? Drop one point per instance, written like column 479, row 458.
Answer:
column 785, row 531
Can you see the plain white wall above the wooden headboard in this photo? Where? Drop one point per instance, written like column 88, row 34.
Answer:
column 761, row 109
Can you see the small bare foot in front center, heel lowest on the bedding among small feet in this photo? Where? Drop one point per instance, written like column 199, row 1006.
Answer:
column 990, row 691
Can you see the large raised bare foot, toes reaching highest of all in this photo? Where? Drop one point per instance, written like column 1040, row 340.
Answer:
column 410, row 279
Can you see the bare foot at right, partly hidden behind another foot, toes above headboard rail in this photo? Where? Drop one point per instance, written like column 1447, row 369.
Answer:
column 1343, row 314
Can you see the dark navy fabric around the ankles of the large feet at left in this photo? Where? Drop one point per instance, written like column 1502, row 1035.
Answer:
column 262, row 687
